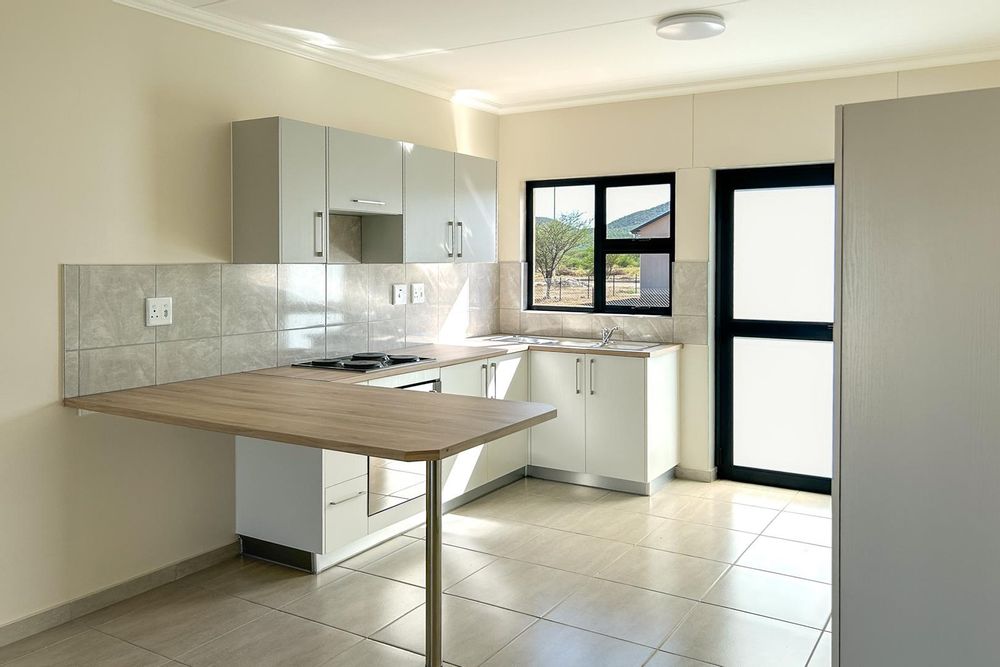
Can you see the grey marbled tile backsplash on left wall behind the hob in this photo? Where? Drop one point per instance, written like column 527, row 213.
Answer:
column 236, row 317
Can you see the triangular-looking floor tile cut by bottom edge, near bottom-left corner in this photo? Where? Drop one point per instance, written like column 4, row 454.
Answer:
column 90, row 648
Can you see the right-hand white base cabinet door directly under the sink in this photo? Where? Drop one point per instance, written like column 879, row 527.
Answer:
column 616, row 417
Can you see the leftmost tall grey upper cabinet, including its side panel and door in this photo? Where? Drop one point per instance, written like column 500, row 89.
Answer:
column 279, row 191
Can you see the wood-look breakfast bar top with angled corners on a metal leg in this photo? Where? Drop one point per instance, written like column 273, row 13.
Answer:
column 372, row 421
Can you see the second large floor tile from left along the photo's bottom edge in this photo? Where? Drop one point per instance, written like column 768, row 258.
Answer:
column 275, row 639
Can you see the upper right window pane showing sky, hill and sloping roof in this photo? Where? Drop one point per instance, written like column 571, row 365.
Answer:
column 639, row 211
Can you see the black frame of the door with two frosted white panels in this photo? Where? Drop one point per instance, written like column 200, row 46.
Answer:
column 726, row 328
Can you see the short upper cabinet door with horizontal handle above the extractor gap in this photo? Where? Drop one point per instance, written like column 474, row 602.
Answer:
column 365, row 173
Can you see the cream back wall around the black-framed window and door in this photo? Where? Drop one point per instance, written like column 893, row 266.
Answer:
column 694, row 134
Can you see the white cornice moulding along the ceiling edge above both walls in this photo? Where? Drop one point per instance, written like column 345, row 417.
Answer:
column 583, row 97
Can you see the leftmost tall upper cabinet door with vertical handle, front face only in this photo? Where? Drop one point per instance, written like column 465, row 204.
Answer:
column 303, row 192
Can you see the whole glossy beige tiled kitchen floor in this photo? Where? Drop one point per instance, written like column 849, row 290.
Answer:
column 537, row 573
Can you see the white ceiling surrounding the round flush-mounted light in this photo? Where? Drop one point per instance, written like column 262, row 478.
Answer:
column 516, row 55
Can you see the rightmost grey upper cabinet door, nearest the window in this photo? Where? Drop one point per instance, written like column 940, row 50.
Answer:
column 475, row 209
